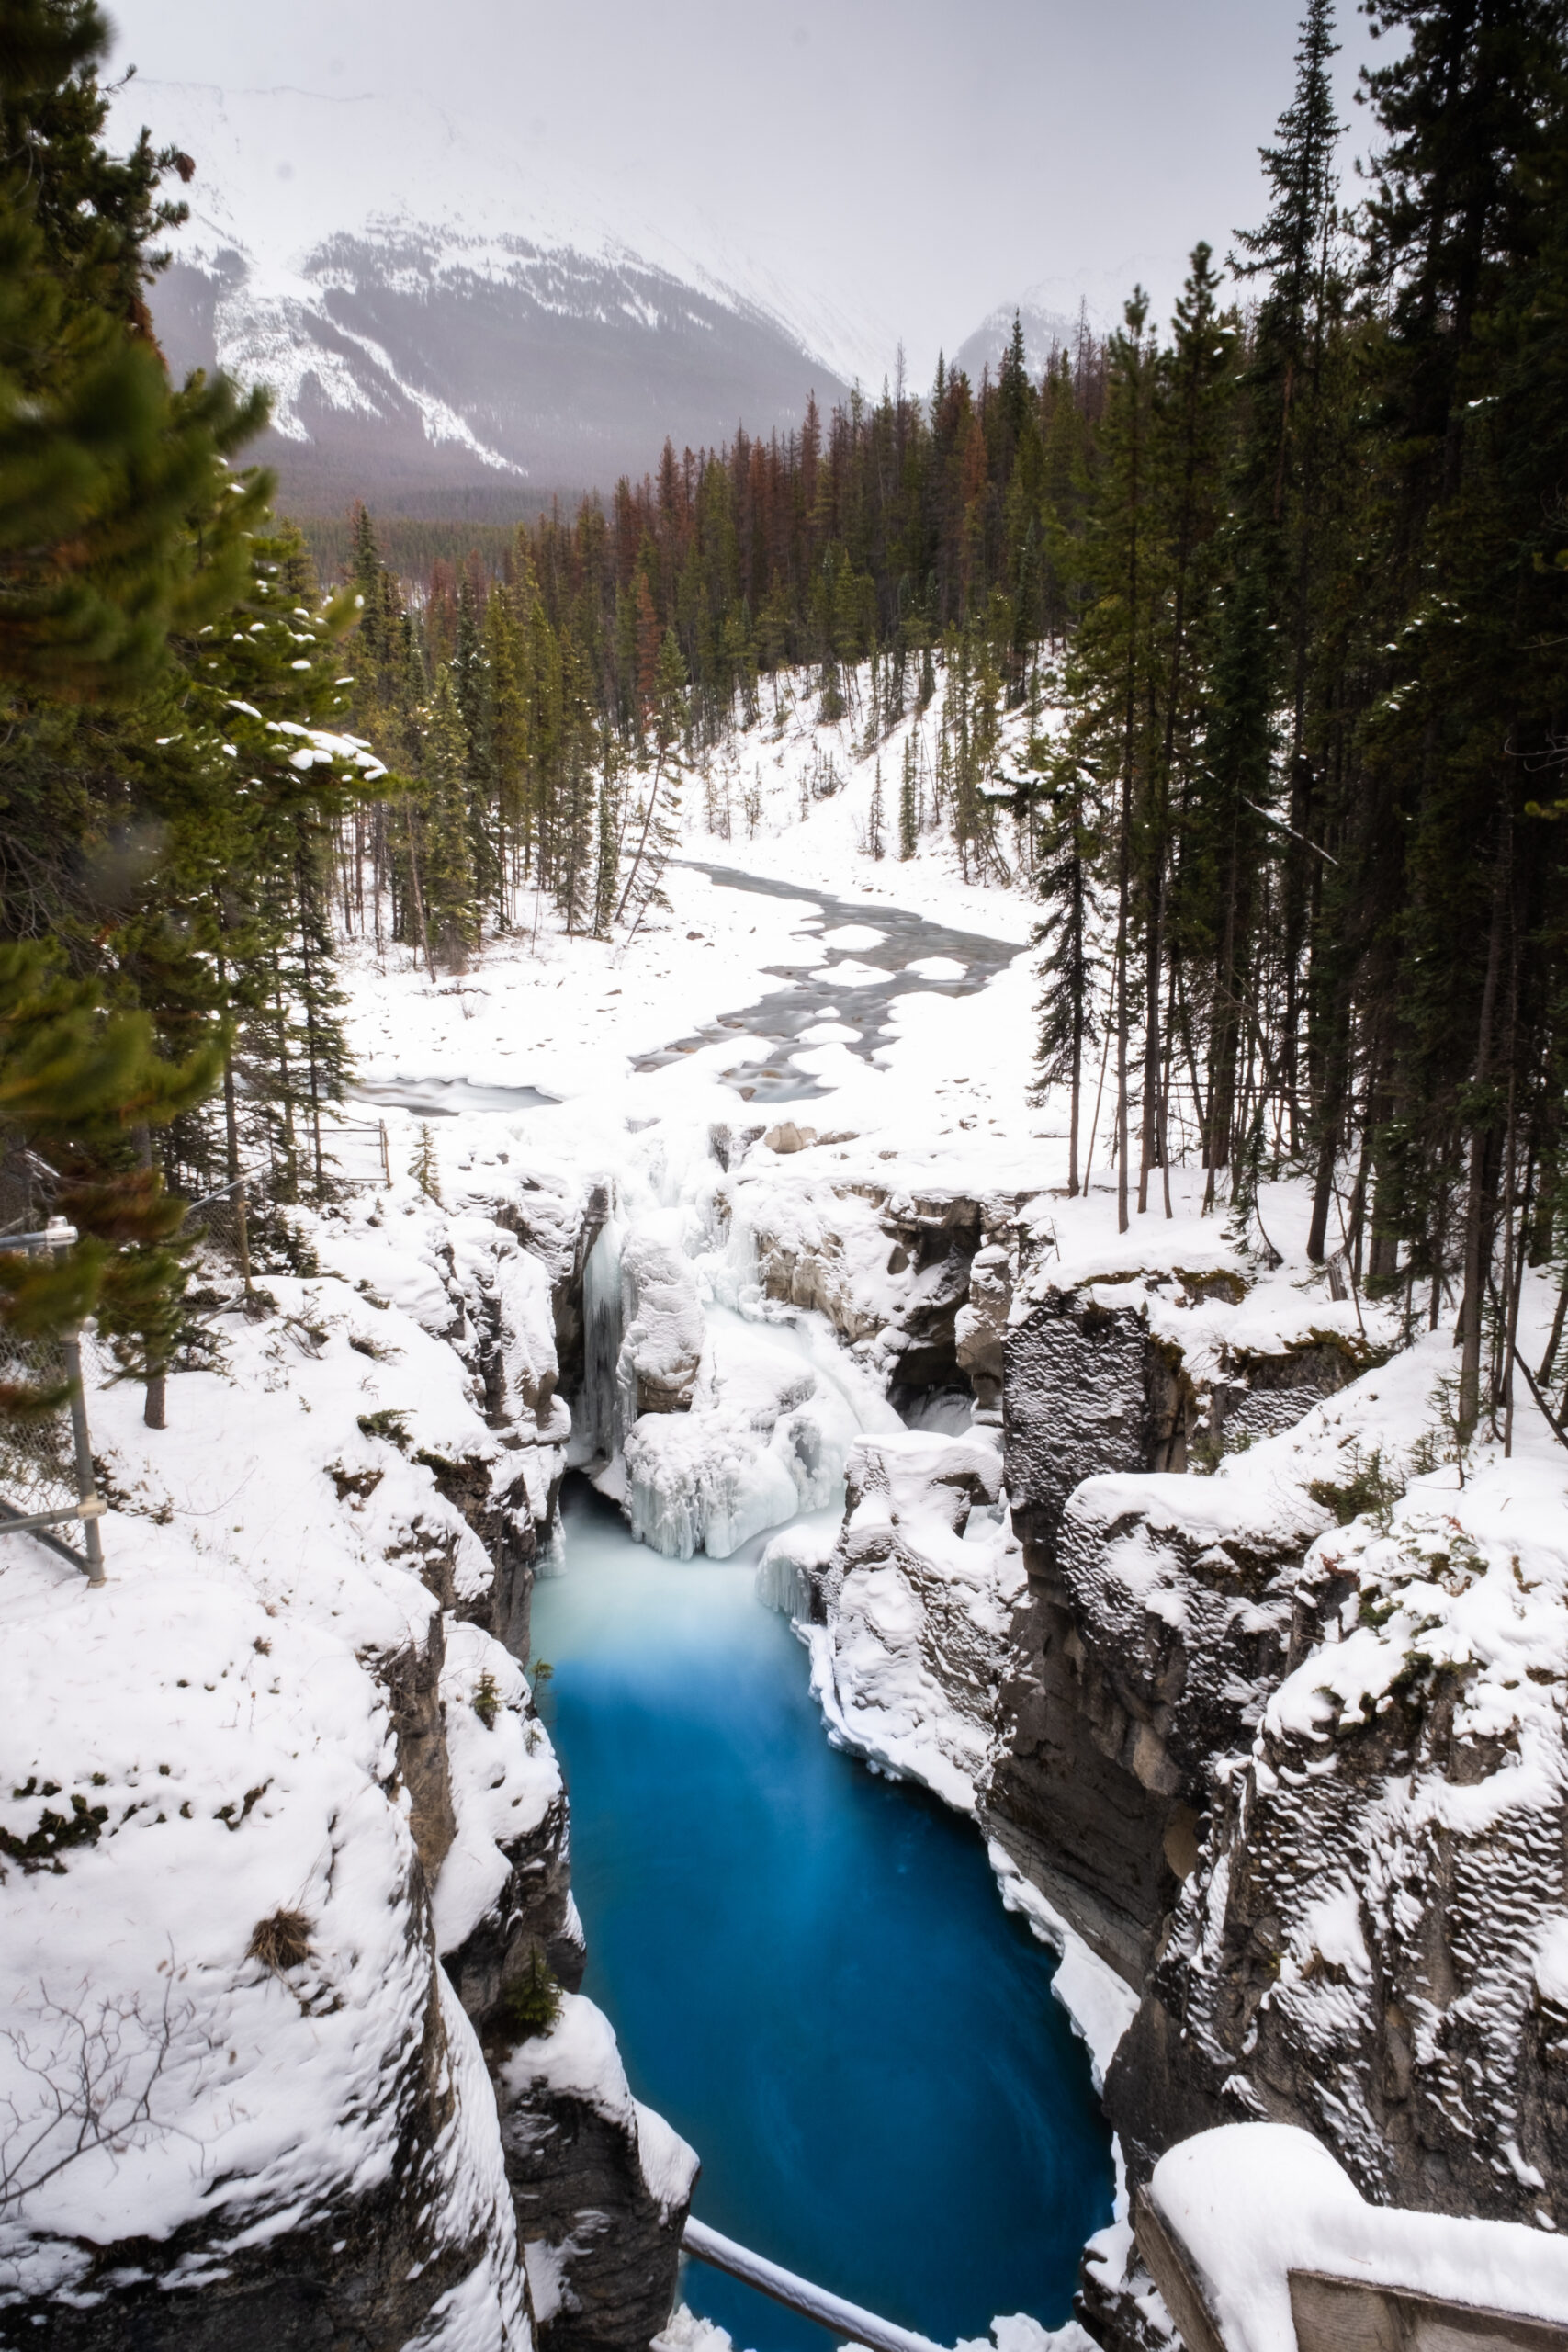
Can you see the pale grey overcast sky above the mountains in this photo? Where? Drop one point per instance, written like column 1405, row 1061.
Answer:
column 913, row 163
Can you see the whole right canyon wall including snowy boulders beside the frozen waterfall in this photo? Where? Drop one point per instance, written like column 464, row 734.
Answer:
column 1259, row 1699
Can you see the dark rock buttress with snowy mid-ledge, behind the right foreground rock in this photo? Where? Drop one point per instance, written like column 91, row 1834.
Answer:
column 1160, row 1610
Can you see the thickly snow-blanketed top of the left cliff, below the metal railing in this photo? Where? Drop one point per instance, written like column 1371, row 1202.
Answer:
column 232, row 2062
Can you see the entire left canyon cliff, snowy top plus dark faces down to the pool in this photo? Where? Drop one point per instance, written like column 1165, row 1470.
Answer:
column 286, row 1786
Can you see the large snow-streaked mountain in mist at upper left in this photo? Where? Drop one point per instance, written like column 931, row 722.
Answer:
column 436, row 316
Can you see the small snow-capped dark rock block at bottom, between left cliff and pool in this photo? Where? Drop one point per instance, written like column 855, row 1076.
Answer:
column 601, row 2184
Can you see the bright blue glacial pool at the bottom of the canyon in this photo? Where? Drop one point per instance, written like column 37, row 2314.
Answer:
column 810, row 1970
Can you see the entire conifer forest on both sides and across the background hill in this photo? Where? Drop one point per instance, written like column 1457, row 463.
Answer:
column 1280, row 589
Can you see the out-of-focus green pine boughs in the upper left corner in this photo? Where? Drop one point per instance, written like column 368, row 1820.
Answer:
column 100, row 460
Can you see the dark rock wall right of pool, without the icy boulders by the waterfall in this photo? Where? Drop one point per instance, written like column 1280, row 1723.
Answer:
column 1304, row 1786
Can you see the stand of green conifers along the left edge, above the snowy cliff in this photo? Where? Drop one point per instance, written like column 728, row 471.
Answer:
column 173, row 763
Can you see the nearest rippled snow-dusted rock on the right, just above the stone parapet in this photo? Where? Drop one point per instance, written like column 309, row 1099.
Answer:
column 1372, row 1942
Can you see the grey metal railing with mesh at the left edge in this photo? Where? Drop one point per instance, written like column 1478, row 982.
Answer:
column 46, row 1452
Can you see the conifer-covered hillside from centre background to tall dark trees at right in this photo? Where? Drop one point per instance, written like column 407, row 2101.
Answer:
column 1292, row 577
